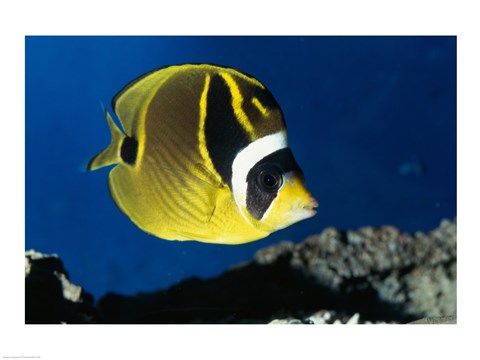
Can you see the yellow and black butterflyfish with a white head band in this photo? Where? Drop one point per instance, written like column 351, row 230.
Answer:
column 203, row 156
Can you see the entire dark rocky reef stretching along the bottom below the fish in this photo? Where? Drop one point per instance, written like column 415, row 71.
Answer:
column 370, row 275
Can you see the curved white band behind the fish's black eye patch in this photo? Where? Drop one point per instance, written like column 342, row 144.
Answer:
column 247, row 158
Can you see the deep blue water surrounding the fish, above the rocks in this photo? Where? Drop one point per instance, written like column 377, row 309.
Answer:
column 371, row 120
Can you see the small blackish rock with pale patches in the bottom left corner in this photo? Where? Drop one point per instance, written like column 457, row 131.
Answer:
column 50, row 297
